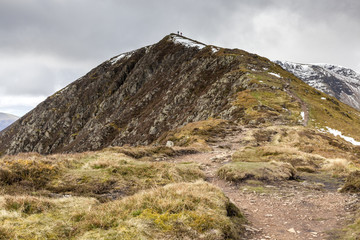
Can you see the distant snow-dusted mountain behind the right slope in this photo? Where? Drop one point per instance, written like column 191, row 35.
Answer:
column 340, row 82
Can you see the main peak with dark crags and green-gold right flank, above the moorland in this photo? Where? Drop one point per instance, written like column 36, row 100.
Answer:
column 137, row 96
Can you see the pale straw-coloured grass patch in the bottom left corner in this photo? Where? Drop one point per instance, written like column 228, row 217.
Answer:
column 49, row 219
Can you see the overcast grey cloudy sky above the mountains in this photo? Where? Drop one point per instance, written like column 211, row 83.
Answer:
column 47, row 44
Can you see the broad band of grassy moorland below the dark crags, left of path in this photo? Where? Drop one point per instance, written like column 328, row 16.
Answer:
column 106, row 174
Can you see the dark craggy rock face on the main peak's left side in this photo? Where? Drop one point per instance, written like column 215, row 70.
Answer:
column 134, row 97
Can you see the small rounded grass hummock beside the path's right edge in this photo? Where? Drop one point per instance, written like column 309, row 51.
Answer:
column 264, row 171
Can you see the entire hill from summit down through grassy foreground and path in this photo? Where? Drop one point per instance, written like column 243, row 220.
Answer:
column 183, row 140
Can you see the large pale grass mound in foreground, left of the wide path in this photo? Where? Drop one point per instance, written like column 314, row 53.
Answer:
column 177, row 211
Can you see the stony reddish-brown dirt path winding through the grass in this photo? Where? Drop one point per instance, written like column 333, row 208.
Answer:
column 287, row 210
